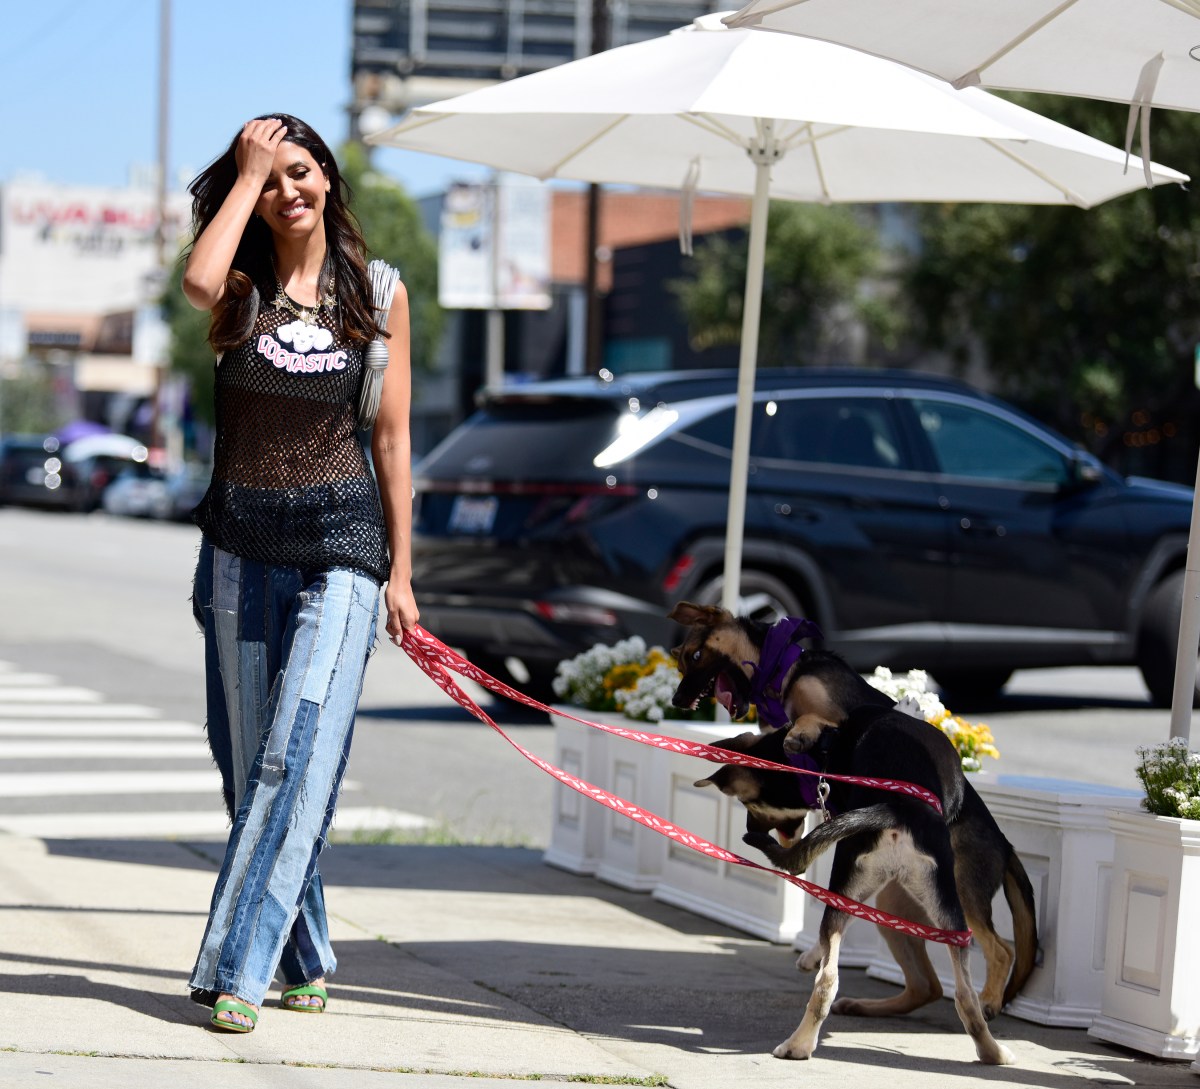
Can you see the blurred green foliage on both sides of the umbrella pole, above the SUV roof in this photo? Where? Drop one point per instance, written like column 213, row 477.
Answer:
column 818, row 262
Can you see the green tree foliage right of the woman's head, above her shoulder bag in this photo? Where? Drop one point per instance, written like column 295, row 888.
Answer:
column 395, row 232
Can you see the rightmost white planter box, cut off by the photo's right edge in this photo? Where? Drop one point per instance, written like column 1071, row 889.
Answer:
column 1151, row 997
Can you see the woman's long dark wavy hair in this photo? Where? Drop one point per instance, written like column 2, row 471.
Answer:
column 253, row 274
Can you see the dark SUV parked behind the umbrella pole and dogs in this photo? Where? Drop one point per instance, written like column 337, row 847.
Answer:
column 920, row 522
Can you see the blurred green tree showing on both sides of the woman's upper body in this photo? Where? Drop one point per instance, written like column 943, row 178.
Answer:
column 395, row 232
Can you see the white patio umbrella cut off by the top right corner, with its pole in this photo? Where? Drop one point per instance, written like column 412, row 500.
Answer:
column 1145, row 53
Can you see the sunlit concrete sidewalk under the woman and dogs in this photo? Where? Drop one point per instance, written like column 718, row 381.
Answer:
column 460, row 967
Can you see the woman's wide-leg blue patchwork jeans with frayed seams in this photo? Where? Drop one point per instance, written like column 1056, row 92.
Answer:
column 286, row 652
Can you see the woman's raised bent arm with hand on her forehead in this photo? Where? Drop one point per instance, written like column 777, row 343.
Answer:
column 208, row 264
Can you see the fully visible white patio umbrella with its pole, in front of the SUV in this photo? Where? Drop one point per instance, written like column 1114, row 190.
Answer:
column 766, row 116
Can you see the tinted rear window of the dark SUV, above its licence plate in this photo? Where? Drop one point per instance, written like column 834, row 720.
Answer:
column 527, row 441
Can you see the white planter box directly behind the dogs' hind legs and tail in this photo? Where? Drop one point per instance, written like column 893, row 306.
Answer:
column 1061, row 832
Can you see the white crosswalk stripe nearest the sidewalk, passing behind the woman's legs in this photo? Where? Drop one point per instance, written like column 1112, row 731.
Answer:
column 182, row 825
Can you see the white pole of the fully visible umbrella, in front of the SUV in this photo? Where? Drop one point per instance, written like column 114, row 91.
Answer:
column 763, row 157
